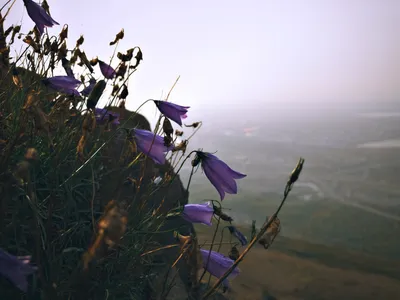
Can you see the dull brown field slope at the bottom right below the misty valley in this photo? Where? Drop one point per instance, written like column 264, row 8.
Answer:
column 294, row 269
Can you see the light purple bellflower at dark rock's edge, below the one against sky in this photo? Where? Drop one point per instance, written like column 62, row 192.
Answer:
column 151, row 144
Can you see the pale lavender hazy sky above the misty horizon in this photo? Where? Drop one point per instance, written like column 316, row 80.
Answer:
column 254, row 53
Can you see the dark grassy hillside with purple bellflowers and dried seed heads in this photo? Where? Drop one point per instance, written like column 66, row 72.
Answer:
column 75, row 174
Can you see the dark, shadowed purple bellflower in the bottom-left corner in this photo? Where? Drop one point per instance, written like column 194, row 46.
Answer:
column 16, row 269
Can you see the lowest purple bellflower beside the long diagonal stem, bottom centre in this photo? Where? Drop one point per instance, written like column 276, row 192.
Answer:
column 218, row 265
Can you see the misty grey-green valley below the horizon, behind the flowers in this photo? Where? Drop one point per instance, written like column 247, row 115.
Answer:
column 349, row 192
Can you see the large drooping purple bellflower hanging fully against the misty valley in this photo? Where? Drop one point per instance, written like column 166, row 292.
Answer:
column 221, row 176
